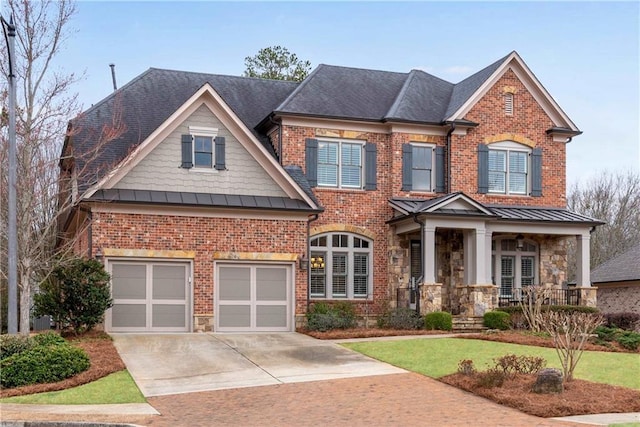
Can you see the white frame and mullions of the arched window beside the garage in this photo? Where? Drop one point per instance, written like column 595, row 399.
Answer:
column 350, row 251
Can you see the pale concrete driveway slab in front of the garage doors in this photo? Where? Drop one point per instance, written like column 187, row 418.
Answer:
column 163, row 364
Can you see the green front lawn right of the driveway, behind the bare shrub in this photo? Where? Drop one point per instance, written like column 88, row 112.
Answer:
column 438, row 357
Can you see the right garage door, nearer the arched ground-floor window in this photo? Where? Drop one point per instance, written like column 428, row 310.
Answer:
column 253, row 297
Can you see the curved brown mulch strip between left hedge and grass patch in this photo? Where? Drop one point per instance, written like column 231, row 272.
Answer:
column 104, row 358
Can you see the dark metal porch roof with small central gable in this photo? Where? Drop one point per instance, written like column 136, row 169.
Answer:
column 444, row 205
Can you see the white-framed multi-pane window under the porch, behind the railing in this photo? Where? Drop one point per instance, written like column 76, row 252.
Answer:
column 513, row 267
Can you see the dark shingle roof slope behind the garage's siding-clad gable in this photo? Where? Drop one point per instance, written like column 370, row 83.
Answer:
column 149, row 99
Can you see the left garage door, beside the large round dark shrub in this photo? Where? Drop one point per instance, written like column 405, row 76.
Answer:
column 149, row 297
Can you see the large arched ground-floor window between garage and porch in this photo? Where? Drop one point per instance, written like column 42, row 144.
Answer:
column 341, row 266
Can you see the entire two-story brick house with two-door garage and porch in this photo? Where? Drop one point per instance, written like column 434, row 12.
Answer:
column 231, row 203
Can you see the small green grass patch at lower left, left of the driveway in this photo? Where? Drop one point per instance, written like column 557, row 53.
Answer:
column 118, row 387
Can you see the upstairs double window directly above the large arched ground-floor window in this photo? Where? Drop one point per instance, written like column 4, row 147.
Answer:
column 340, row 164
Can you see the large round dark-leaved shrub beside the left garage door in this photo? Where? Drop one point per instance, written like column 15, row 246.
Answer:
column 76, row 295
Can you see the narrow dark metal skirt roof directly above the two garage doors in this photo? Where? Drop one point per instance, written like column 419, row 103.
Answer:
column 201, row 199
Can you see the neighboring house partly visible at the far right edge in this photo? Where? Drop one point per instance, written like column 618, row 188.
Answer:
column 618, row 283
